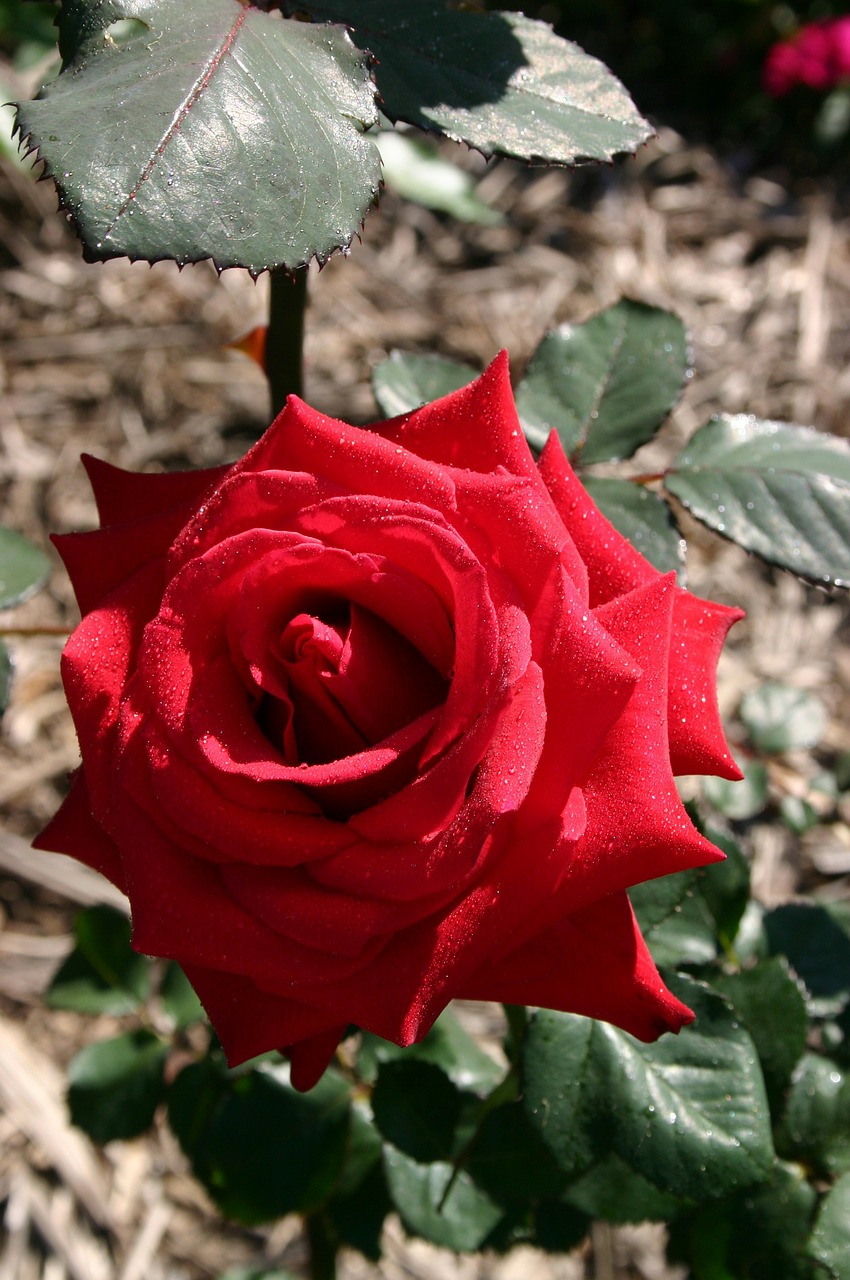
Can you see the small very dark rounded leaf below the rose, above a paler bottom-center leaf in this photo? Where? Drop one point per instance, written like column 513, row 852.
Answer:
column 418, row 1109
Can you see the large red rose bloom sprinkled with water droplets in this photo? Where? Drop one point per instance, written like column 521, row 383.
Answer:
column 381, row 717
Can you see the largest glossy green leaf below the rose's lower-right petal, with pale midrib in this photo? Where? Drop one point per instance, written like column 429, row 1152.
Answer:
column 688, row 1113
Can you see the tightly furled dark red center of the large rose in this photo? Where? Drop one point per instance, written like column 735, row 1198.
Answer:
column 353, row 682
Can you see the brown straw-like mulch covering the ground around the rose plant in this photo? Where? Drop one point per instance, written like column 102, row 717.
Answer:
column 129, row 363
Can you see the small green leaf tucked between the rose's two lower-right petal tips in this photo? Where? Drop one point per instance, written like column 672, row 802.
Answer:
column 675, row 921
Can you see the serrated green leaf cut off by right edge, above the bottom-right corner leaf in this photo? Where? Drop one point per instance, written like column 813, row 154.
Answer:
column 816, row 1126
